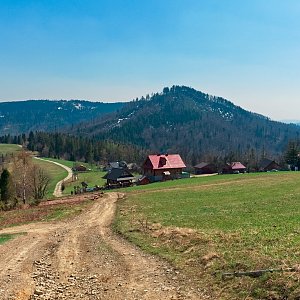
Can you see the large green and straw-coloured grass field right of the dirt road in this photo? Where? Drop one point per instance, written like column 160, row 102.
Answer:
column 211, row 225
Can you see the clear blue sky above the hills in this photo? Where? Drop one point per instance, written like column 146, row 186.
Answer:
column 116, row 50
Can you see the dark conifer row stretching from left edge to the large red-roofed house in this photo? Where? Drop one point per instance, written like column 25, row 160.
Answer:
column 60, row 145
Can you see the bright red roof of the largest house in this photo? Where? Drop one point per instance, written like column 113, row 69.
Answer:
column 166, row 161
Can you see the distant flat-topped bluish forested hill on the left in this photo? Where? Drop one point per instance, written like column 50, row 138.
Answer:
column 23, row 116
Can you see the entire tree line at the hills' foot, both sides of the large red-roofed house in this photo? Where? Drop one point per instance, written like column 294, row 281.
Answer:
column 69, row 147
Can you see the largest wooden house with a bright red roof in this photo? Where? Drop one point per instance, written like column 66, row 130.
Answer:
column 159, row 167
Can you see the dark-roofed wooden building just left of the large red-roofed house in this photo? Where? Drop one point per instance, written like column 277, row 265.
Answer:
column 119, row 177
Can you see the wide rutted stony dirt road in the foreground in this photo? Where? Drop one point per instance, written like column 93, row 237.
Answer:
column 83, row 259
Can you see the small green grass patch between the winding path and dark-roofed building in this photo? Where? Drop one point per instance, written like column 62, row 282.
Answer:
column 92, row 178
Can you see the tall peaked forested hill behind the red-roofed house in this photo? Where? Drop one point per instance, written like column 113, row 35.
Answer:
column 196, row 125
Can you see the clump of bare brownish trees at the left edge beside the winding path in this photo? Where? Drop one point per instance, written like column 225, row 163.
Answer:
column 22, row 182
